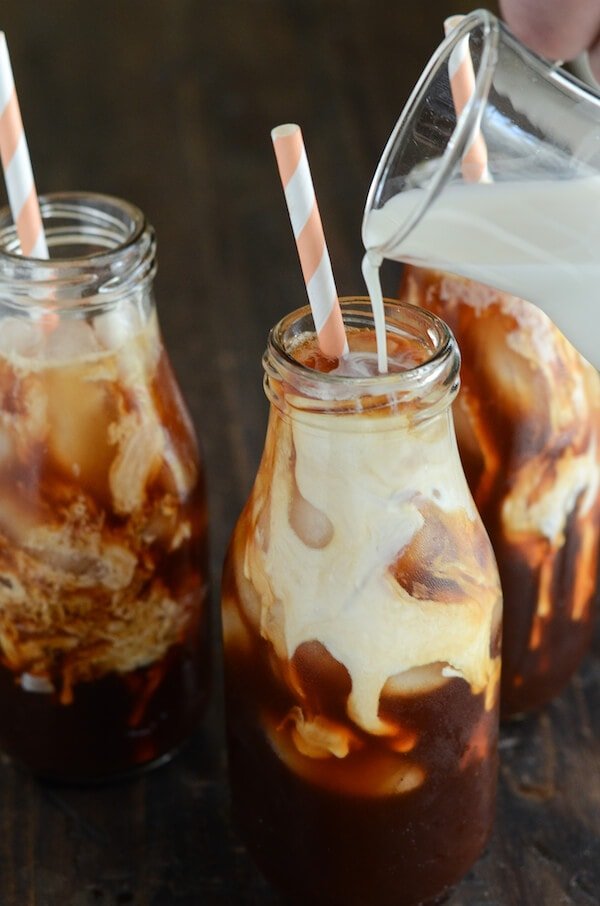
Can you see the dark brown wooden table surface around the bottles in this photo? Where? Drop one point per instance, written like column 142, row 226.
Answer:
column 170, row 104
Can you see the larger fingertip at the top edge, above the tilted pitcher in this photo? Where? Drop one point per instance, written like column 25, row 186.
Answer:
column 559, row 31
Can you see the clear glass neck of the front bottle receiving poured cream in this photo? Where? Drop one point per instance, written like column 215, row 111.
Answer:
column 413, row 395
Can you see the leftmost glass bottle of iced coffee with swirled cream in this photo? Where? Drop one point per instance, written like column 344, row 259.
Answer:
column 103, row 567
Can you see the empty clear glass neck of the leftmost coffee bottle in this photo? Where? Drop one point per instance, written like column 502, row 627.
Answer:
column 101, row 249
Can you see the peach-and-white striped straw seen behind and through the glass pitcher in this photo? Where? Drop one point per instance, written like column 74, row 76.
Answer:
column 462, row 85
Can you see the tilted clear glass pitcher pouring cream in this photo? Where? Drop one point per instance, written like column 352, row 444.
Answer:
column 531, row 225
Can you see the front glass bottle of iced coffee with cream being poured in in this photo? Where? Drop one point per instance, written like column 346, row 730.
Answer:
column 361, row 621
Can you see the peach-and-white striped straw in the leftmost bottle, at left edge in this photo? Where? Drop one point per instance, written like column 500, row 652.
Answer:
column 16, row 163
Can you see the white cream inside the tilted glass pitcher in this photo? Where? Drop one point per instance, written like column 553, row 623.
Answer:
column 537, row 239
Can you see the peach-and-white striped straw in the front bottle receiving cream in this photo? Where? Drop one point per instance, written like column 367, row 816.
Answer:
column 310, row 240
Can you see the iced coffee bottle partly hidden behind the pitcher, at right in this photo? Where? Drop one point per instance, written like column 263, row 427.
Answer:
column 528, row 426
